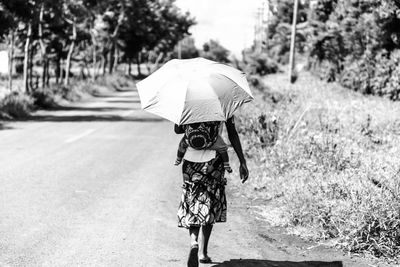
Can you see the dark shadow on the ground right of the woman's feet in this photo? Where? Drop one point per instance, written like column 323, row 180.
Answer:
column 268, row 263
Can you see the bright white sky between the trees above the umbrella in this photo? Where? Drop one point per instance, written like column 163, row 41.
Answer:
column 231, row 22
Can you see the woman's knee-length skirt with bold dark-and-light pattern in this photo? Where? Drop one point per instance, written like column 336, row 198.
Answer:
column 203, row 198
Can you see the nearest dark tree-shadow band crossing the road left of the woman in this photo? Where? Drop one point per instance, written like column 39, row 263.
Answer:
column 88, row 118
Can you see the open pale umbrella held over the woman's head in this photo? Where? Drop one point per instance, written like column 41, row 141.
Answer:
column 194, row 90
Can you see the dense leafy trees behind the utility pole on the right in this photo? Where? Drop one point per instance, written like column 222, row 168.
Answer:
column 356, row 43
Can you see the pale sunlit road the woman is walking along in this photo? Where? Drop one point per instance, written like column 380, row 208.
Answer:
column 93, row 184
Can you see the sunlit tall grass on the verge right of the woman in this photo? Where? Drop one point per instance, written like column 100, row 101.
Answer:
column 329, row 159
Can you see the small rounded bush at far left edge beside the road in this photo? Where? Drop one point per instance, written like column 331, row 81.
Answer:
column 17, row 105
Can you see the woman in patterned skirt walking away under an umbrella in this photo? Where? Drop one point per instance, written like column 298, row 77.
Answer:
column 203, row 200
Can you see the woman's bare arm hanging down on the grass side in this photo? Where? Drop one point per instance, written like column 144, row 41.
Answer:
column 237, row 146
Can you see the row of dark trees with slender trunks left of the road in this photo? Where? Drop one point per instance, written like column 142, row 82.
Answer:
column 87, row 38
